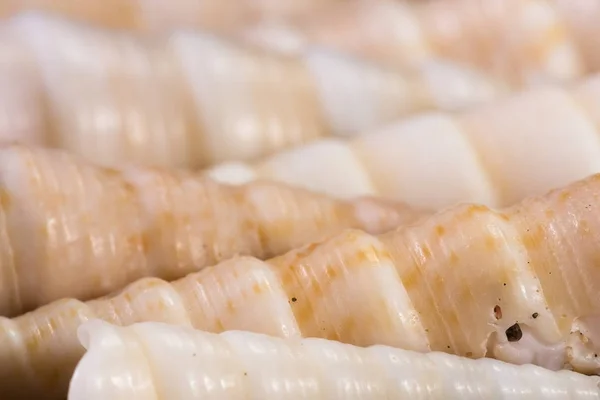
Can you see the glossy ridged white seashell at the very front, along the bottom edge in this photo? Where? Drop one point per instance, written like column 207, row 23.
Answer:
column 137, row 362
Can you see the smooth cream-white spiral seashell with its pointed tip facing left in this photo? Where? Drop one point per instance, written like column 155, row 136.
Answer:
column 494, row 154
